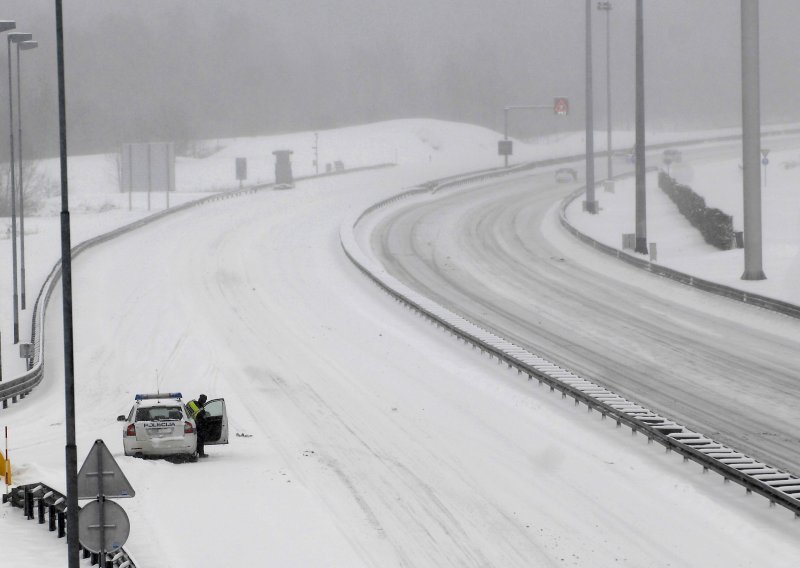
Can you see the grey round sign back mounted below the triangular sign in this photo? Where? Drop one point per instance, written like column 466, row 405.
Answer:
column 107, row 535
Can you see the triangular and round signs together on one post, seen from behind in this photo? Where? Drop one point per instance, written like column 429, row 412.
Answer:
column 103, row 525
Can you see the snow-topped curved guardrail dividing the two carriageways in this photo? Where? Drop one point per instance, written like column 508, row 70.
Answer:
column 778, row 486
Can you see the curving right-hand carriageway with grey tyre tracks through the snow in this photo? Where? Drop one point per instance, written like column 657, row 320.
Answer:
column 494, row 255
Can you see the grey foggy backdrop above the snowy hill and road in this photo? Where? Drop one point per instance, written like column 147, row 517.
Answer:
column 145, row 70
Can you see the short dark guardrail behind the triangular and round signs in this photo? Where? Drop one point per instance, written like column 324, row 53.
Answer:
column 48, row 506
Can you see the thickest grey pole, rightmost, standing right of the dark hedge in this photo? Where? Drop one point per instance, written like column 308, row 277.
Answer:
column 751, row 142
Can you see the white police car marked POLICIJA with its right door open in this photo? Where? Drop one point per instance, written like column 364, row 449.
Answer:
column 160, row 425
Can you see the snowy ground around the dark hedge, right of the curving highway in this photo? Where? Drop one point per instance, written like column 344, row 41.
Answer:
column 719, row 181
